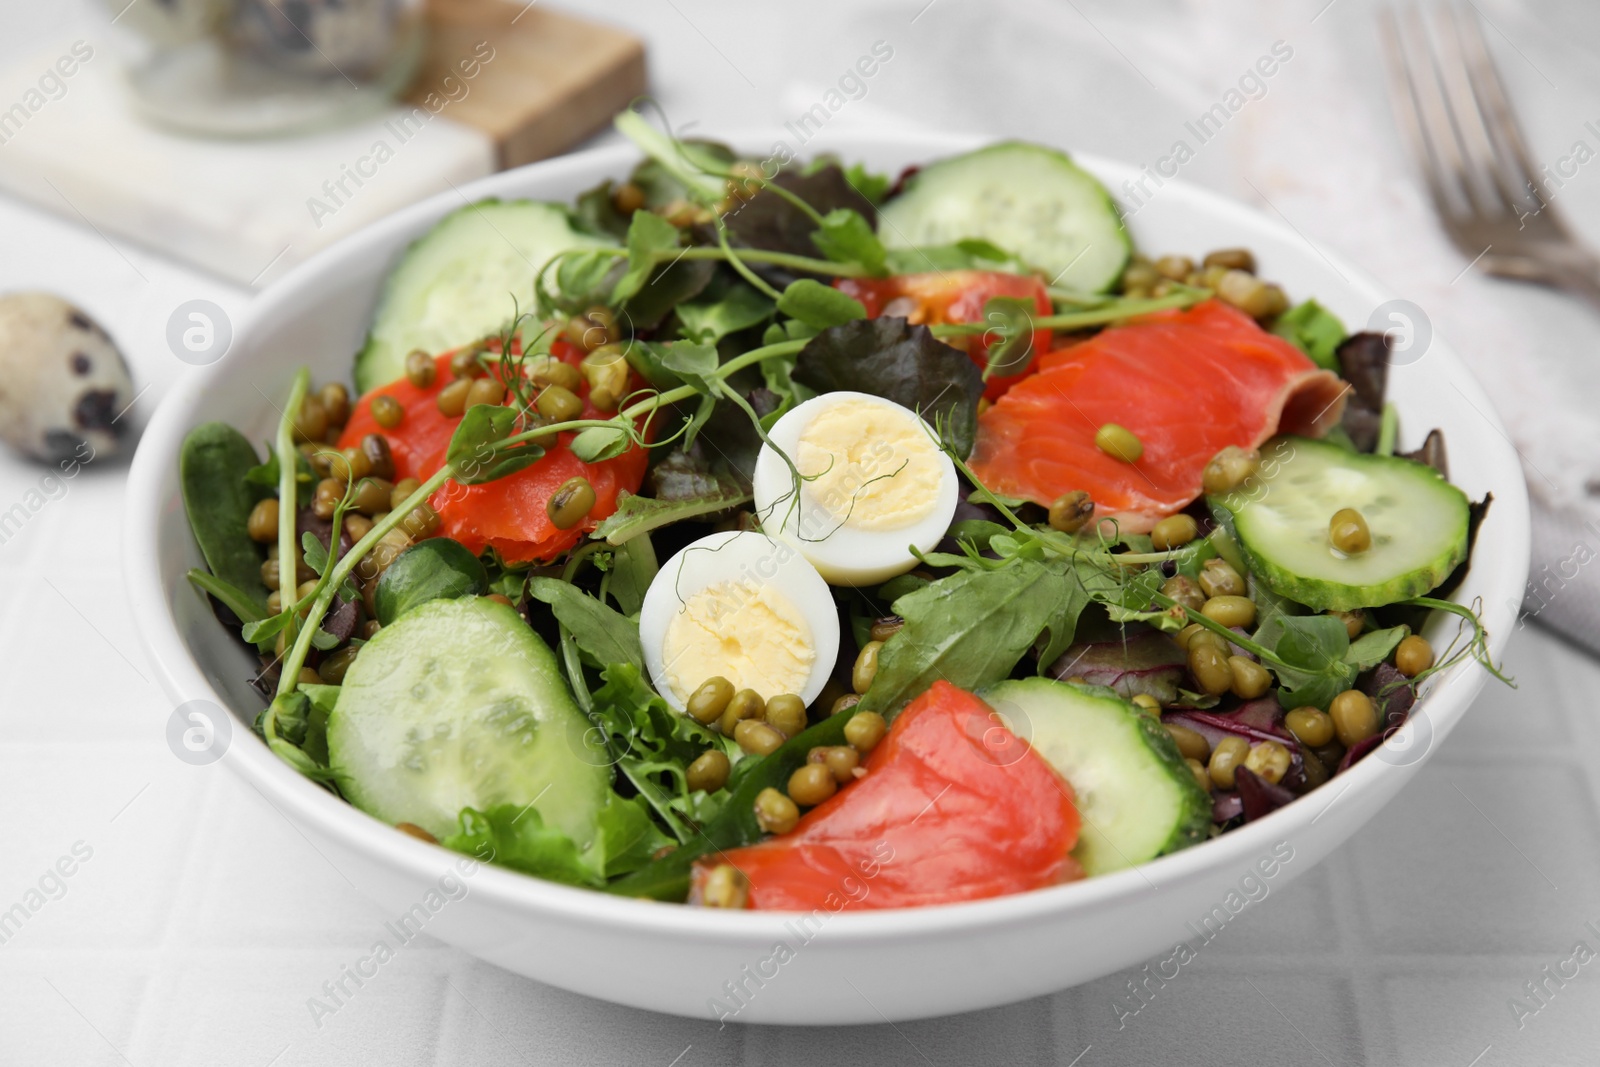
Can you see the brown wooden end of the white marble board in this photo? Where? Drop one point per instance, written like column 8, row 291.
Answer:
column 553, row 79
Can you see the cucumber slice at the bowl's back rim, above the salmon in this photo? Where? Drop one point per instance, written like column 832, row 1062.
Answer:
column 1023, row 198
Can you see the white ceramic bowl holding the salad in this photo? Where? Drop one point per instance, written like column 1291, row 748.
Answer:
column 839, row 969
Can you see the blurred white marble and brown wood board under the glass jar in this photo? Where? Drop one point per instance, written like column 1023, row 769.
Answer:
column 250, row 210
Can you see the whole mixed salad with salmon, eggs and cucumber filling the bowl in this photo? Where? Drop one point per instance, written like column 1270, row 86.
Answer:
column 831, row 540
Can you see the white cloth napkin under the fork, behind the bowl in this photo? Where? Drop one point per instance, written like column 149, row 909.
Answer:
column 1318, row 145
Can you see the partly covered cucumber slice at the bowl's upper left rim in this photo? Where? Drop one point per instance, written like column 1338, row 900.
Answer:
column 457, row 282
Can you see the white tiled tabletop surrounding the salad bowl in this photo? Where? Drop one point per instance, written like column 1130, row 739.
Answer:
column 202, row 921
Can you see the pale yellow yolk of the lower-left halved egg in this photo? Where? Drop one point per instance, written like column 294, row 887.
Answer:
column 743, row 631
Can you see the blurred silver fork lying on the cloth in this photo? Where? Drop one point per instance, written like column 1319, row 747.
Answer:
column 1452, row 105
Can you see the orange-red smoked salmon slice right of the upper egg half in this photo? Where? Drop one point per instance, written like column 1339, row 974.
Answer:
column 1186, row 383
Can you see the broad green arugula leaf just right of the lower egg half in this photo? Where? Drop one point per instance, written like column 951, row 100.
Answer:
column 970, row 629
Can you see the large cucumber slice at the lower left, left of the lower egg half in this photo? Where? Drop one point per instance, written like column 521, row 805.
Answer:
column 460, row 705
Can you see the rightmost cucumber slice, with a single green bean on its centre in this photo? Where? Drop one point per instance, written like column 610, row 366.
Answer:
column 1281, row 519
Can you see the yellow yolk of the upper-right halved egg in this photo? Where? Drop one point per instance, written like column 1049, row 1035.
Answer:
column 870, row 465
